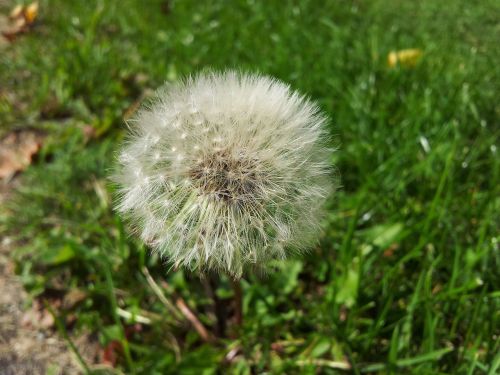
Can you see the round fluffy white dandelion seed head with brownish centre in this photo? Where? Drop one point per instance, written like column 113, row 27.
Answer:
column 225, row 171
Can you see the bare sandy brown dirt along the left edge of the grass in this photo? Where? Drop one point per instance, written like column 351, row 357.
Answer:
column 25, row 347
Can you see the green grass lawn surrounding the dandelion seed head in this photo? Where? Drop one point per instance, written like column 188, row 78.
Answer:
column 405, row 279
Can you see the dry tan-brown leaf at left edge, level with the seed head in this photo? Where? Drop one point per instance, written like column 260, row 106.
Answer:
column 16, row 152
